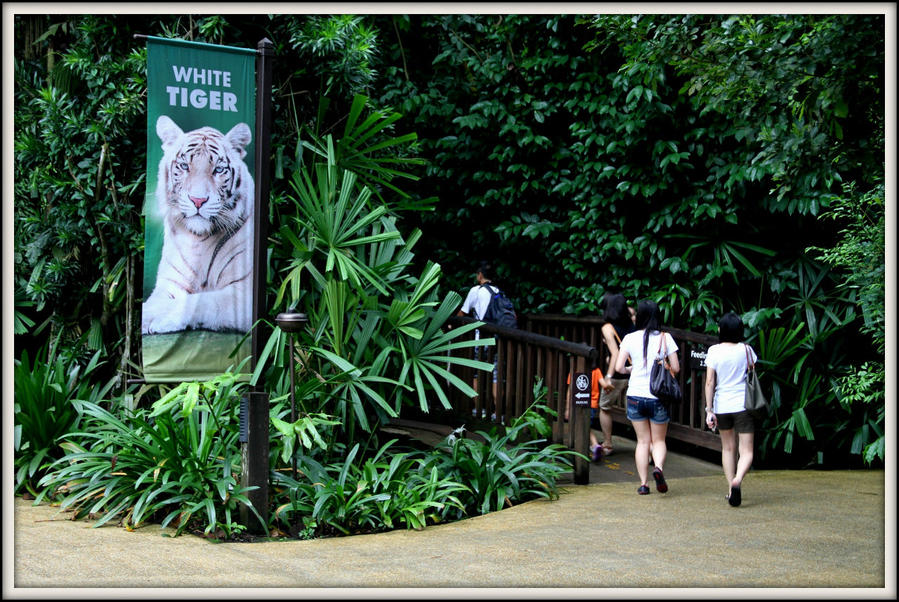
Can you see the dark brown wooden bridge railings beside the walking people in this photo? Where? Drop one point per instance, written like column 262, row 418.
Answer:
column 552, row 347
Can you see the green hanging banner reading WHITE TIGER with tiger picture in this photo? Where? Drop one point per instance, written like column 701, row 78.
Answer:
column 198, row 256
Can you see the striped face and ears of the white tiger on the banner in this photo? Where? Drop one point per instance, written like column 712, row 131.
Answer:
column 203, row 181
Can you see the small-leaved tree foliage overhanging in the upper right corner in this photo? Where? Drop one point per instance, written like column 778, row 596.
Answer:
column 784, row 68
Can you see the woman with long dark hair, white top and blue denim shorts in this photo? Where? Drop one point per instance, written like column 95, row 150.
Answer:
column 647, row 414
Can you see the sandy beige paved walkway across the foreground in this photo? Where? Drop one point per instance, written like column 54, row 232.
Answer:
column 795, row 529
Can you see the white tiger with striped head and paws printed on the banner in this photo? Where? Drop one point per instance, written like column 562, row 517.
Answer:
column 204, row 195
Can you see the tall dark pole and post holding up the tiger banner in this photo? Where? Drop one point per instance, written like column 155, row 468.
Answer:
column 255, row 451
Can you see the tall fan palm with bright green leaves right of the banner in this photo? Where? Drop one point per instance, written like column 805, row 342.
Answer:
column 374, row 330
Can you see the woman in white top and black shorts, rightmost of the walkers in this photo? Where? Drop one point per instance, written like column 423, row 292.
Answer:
column 725, row 388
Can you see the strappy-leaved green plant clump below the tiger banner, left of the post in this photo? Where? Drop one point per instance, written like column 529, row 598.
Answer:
column 178, row 462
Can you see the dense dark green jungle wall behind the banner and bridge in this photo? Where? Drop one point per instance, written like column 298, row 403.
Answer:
column 710, row 162
